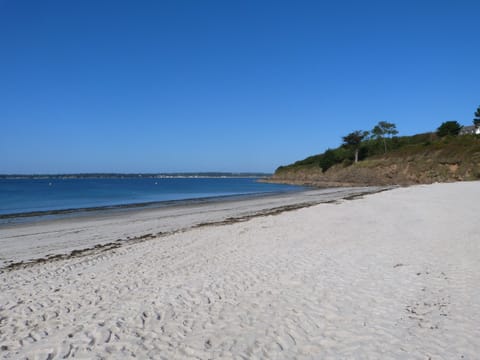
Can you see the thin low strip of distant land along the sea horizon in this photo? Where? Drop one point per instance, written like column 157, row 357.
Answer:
column 136, row 175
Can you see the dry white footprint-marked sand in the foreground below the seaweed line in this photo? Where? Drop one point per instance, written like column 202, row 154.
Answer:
column 391, row 275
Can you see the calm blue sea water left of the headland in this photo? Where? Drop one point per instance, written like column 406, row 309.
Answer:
column 32, row 195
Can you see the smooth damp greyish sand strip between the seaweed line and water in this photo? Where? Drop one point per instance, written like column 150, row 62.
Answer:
column 36, row 240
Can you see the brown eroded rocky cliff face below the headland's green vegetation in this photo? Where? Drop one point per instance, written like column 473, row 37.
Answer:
column 420, row 168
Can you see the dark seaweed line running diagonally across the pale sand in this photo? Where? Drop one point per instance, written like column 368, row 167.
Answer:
column 97, row 249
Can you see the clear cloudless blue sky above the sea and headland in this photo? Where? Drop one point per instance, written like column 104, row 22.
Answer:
column 167, row 86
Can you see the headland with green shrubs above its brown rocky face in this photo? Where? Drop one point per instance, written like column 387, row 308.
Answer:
column 422, row 158
